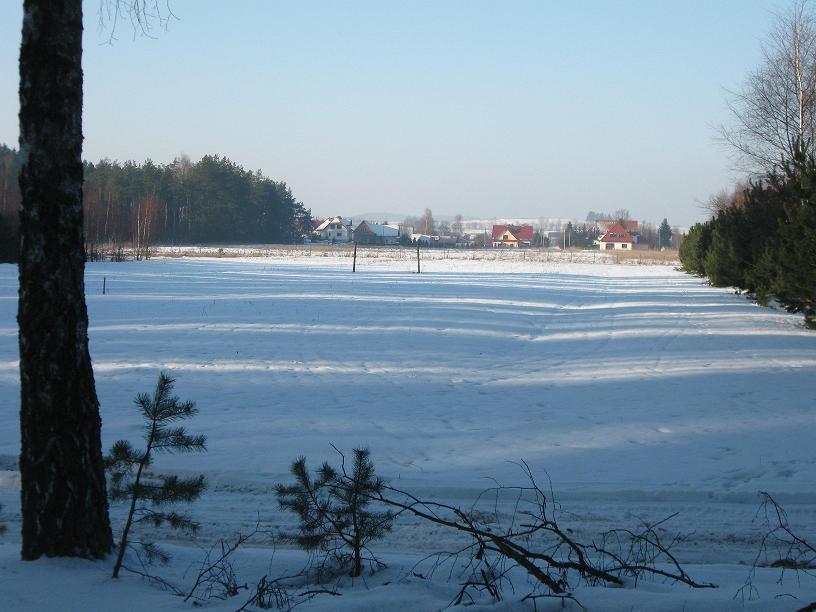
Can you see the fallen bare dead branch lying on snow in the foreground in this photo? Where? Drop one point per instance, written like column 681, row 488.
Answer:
column 532, row 539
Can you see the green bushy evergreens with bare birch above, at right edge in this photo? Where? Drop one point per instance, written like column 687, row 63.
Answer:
column 761, row 237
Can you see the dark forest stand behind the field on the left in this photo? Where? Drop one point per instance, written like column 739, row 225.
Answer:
column 213, row 200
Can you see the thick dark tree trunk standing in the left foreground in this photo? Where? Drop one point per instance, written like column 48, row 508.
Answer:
column 64, row 501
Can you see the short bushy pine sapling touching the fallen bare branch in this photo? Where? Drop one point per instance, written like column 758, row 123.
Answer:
column 334, row 510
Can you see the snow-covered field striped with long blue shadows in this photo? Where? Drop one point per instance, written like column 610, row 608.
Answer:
column 639, row 390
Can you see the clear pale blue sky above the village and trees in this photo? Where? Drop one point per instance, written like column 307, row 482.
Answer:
column 500, row 108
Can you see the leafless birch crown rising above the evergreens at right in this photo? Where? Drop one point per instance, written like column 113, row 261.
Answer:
column 774, row 112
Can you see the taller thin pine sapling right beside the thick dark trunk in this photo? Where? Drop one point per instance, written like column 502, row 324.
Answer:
column 149, row 493
